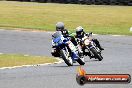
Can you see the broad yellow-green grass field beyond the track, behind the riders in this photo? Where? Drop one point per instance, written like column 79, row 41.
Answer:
column 43, row 16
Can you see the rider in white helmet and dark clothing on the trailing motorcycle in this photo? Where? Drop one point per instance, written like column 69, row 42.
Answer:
column 80, row 34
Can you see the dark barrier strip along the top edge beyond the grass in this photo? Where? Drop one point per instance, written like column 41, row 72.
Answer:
column 88, row 2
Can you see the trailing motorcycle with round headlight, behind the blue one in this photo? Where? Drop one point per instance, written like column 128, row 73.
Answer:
column 90, row 46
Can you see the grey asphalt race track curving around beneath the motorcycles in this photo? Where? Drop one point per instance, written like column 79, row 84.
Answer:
column 117, row 59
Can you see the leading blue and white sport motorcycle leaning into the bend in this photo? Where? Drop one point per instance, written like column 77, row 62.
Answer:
column 66, row 49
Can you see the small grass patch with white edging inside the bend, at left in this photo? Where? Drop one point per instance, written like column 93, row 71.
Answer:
column 7, row 60
